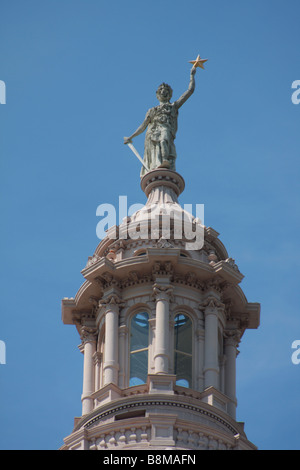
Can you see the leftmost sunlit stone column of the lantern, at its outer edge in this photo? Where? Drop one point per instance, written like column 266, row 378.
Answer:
column 88, row 335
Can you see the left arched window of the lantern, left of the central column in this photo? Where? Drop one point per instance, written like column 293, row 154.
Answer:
column 139, row 344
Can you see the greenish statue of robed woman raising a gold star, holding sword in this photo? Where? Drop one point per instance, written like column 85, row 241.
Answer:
column 161, row 125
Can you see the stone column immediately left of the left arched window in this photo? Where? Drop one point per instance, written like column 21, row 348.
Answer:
column 111, row 350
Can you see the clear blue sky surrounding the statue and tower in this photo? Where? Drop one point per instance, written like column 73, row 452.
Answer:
column 80, row 75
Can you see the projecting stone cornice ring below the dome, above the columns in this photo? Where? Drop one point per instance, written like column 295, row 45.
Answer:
column 220, row 278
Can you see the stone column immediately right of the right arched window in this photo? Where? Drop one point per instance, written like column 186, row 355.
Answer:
column 211, row 360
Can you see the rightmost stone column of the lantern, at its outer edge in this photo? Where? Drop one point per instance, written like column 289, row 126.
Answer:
column 232, row 338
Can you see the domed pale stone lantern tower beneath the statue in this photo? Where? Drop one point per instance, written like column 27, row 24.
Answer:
column 160, row 323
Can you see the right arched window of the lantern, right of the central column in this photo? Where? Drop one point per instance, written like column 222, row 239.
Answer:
column 183, row 350
